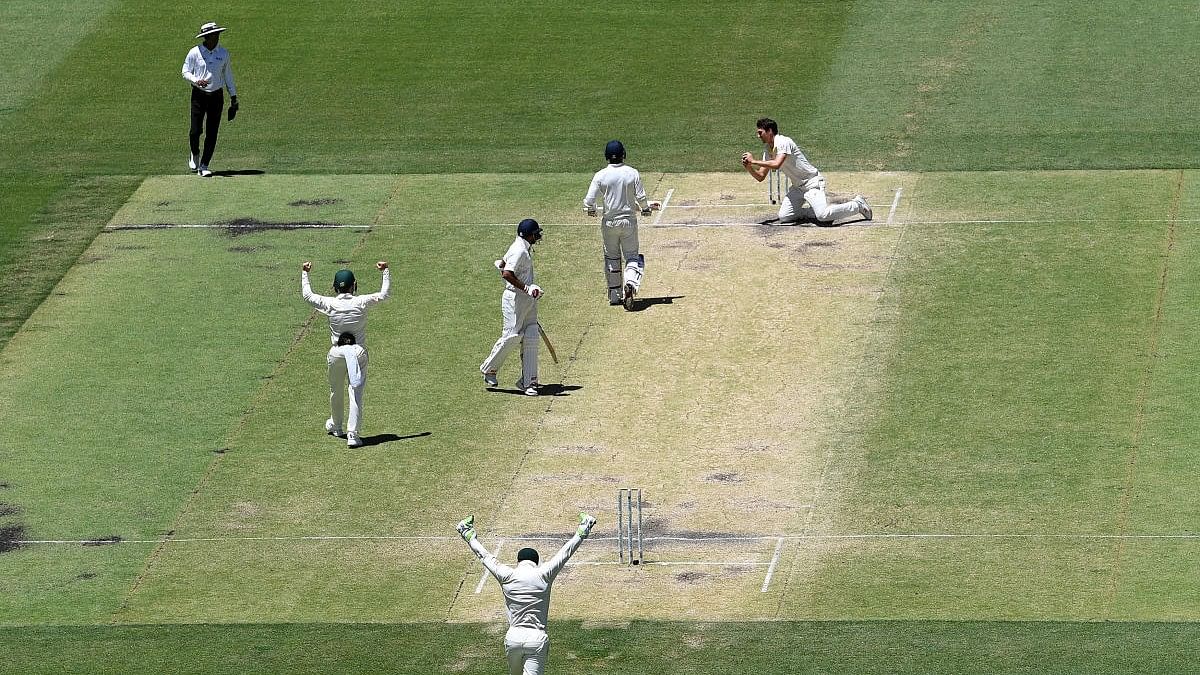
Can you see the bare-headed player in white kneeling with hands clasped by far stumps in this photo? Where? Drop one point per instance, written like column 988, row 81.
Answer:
column 808, row 184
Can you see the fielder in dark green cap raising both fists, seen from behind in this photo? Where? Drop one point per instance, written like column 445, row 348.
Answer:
column 349, row 333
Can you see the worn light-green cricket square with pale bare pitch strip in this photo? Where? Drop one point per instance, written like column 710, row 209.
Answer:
column 758, row 396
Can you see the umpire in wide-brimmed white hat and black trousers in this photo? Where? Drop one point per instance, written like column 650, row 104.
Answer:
column 207, row 67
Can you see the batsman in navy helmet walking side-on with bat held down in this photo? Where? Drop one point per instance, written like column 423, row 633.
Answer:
column 519, row 309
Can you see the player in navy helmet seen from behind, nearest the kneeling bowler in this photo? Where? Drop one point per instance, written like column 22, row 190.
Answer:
column 621, row 189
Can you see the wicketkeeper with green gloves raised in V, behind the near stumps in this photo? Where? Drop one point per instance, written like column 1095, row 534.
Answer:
column 526, row 590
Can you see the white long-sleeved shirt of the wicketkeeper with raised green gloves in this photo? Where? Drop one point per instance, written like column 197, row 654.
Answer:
column 527, row 587
